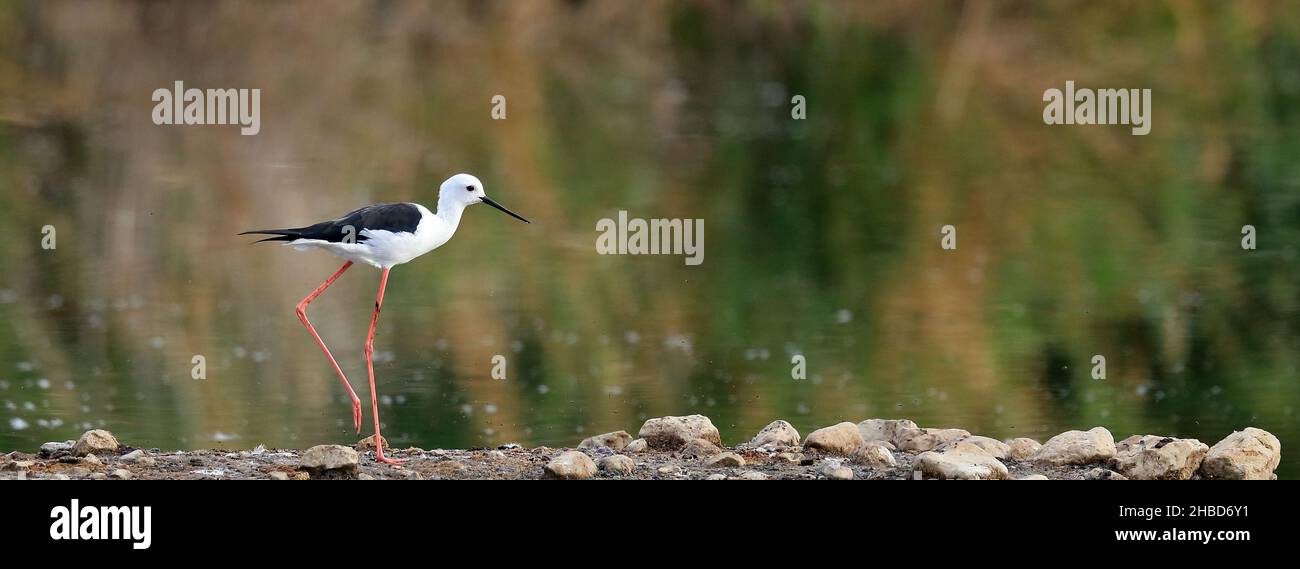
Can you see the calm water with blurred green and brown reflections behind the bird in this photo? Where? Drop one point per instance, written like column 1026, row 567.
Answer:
column 822, row 236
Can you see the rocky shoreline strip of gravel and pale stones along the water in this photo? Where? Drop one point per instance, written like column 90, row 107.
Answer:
column 691, row 449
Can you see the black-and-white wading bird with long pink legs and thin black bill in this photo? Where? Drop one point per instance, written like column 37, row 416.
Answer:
column 382, row 236
